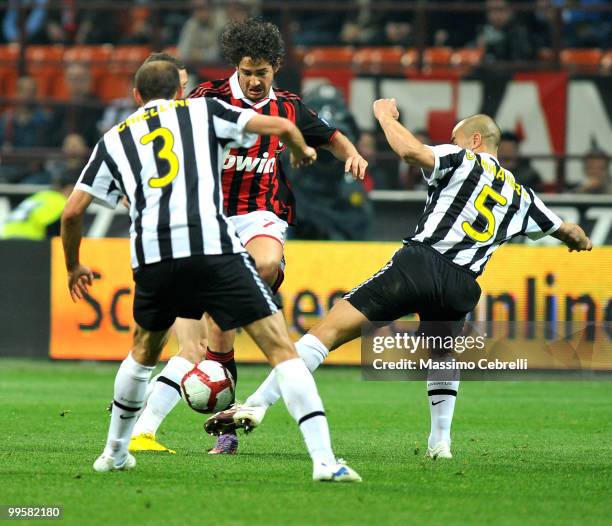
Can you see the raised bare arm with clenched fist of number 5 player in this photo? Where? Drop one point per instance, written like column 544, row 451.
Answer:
column 403, row 143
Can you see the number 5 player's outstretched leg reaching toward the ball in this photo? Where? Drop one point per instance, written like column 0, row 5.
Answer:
column 342, row 324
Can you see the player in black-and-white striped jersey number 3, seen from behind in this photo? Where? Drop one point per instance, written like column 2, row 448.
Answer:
column 186, row 255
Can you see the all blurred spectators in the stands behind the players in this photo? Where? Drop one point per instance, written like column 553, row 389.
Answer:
column 74, row 126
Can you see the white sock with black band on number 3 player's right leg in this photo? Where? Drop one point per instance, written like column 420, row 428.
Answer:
column 304, row 404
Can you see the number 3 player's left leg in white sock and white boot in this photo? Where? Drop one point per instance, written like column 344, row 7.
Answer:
column 130, row 388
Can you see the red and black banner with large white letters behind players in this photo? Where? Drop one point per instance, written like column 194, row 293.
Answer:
column 553, row 113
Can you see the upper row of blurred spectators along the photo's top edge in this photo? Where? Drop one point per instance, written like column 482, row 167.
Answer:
column 196, row 25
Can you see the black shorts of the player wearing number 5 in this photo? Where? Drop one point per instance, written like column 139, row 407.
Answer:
column 419, row 280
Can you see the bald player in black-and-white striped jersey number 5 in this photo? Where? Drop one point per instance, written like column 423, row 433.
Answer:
column 473, row 207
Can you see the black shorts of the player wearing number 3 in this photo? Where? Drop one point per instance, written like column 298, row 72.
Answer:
column 227, row 287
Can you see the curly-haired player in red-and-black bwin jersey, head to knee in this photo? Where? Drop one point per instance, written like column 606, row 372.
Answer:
column 254, row 182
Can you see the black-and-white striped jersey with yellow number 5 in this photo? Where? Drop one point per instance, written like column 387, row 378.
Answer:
column 474, row 206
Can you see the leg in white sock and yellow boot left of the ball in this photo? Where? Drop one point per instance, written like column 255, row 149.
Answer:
column 165, row 389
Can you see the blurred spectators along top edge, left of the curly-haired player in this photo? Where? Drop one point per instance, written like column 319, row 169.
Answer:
column 195, row 26
